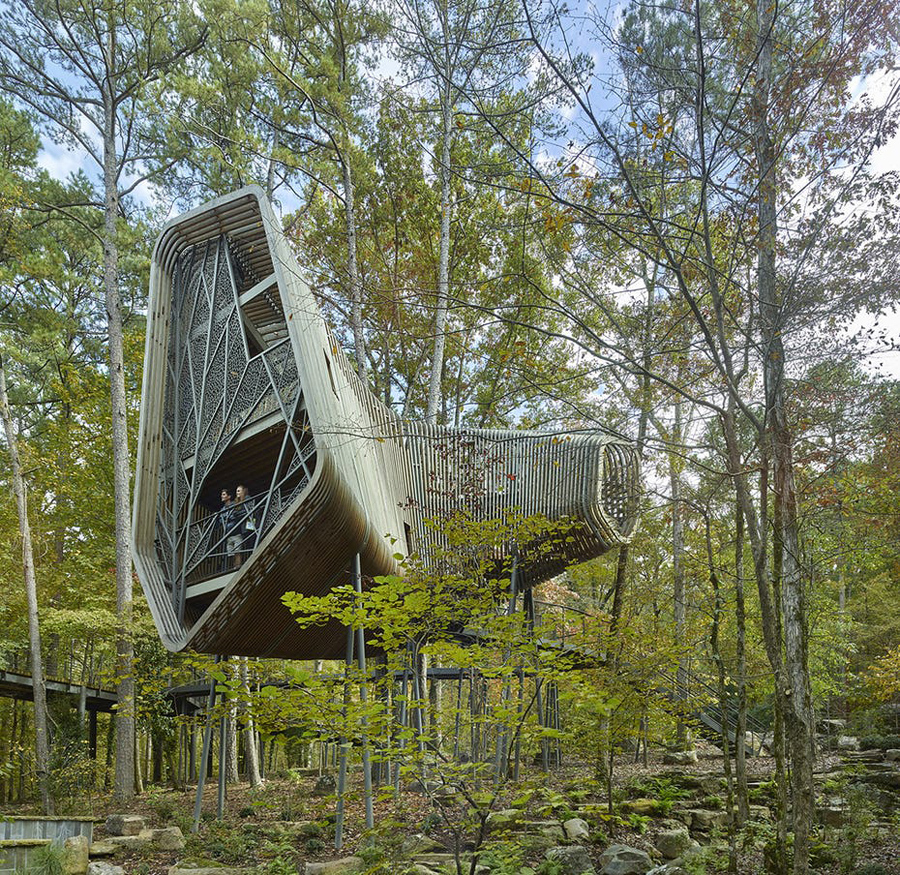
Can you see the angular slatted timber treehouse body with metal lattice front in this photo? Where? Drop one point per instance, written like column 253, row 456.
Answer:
column 243, row 382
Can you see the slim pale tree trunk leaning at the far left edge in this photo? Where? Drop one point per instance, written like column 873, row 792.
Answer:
column 41, row 737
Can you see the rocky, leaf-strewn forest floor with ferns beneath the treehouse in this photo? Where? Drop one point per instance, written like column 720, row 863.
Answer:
column 667, row 819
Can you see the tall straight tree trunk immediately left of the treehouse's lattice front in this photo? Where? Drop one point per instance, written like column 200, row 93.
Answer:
column 125, row 767
